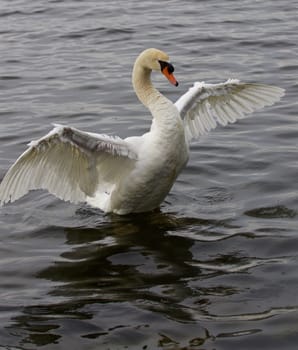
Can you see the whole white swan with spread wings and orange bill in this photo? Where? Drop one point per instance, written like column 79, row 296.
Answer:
column 133, row 174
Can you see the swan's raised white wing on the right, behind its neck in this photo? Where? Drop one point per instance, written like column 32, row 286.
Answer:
column 205, row 106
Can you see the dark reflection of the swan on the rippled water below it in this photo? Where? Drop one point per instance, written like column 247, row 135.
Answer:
column 127, row 271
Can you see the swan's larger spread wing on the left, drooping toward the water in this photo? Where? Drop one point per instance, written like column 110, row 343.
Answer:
column 69, row 163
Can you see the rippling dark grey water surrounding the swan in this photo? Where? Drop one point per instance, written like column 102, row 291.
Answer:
column 216, row 268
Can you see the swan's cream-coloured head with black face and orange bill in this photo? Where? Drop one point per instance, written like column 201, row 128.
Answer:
column 158, row 60
